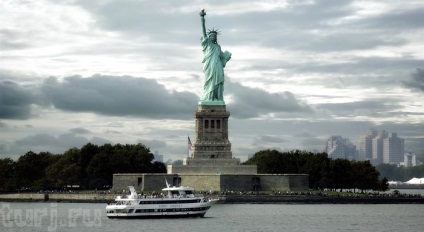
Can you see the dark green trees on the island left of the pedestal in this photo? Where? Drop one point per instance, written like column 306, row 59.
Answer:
column 91, row 167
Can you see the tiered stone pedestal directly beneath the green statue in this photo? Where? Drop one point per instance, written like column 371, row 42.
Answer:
column 211, row 148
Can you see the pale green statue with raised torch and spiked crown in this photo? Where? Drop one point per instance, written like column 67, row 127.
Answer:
column 213, row 66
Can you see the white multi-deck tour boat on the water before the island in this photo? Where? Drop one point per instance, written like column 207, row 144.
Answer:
column 176, row 202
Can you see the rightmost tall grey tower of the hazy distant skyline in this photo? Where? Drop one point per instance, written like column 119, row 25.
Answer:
column 393, row 149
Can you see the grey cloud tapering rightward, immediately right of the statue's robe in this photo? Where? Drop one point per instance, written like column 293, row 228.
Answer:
column 254, row 102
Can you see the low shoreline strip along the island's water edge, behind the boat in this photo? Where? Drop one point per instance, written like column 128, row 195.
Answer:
column 286, row 198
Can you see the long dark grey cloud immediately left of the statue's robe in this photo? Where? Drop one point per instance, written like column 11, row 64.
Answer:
column 120, row 96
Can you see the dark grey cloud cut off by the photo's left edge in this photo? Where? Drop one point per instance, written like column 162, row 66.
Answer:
column 16, row 100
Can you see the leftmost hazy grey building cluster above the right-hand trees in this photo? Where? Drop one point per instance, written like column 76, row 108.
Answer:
column 338, row 147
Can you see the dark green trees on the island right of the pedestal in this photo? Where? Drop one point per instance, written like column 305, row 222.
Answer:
column 323, row 172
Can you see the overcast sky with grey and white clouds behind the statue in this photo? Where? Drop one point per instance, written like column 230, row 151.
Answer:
column 130, row 71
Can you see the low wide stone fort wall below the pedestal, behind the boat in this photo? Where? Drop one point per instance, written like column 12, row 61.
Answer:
column 144, row 182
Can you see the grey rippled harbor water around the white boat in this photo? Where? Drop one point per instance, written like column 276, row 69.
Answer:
column 24, row 216
